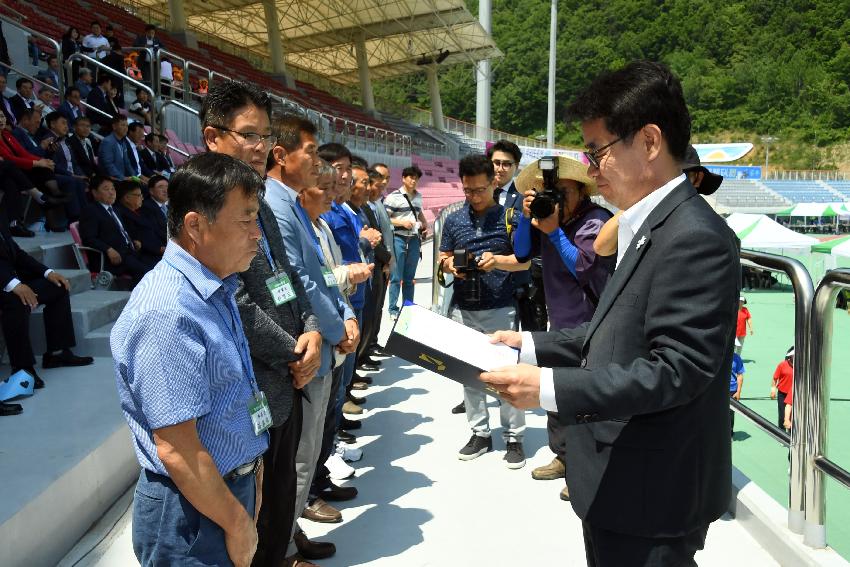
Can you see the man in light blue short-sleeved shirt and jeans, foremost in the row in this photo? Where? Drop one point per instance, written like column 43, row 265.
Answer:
column 185, row 378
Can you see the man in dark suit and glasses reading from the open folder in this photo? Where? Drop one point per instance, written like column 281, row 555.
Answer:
column 644, row 386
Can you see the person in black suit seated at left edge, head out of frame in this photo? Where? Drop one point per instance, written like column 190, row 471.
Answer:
column 26, row 283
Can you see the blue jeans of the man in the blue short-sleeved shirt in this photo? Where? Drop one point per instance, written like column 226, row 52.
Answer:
column 167, row 530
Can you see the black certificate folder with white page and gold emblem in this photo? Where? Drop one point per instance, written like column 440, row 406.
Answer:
column 446, row 347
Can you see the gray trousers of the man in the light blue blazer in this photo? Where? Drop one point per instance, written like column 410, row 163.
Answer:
column 310, row 444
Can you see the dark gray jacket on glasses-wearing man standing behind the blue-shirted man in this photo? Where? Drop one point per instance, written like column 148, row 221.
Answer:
column 272, row 331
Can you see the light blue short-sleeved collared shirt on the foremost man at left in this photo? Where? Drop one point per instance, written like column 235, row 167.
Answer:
column 180, row 353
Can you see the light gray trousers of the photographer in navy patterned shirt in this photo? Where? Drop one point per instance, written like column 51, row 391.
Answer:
column 513, row 420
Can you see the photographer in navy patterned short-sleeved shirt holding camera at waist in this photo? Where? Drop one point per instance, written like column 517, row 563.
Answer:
column 476, row 250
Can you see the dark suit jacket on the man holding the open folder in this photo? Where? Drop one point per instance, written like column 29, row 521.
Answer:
column 645, row 385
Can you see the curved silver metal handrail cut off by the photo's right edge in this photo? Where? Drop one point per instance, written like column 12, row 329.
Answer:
column 818, row 404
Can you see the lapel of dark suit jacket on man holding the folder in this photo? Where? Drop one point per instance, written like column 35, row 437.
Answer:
column 641, row 242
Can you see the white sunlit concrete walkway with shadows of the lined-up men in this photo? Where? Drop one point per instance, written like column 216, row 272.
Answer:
column 418, row 505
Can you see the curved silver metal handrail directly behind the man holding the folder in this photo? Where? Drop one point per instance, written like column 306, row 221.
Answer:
column 801, row 282
